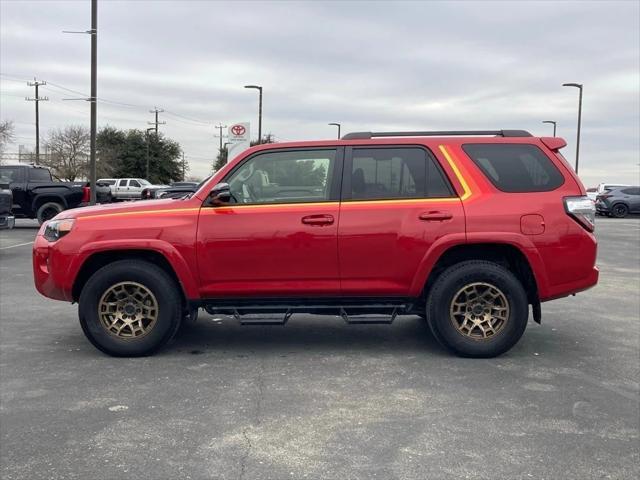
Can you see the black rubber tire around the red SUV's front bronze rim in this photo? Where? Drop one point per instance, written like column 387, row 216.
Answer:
column 156, row 281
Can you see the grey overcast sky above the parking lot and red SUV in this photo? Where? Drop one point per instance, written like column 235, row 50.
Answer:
column 367, row 65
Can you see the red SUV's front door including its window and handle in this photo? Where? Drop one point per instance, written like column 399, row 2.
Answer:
column 278, row 237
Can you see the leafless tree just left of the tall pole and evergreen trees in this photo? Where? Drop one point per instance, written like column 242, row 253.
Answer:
column 68, row 152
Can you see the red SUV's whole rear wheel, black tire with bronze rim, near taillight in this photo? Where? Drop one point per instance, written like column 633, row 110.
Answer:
column 477, row 309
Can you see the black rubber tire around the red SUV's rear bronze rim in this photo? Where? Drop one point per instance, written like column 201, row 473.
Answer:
column 455, row 278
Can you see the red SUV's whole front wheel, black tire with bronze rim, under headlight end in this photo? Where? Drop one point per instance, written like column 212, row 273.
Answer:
column 130, row 308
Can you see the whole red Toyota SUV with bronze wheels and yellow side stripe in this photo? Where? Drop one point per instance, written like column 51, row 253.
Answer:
column 465, row 229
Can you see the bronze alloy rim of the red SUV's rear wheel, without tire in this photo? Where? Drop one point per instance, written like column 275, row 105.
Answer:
column 479, row 311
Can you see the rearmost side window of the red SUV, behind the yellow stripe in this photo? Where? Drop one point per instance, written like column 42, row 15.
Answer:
column 515, row 167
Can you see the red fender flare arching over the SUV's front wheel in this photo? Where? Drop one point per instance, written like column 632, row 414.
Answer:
column 176, row 261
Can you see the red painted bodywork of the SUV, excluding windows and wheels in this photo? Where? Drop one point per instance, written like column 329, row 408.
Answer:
column 364, row 248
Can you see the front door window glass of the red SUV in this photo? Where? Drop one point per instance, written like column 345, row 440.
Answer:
column 287, row 176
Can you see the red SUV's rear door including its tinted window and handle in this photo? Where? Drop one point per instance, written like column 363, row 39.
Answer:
column 396, row 202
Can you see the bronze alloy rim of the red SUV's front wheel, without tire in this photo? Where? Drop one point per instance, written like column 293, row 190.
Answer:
column 128, row 310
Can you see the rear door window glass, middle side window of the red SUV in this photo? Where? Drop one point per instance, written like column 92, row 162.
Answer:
column 395, row 173
